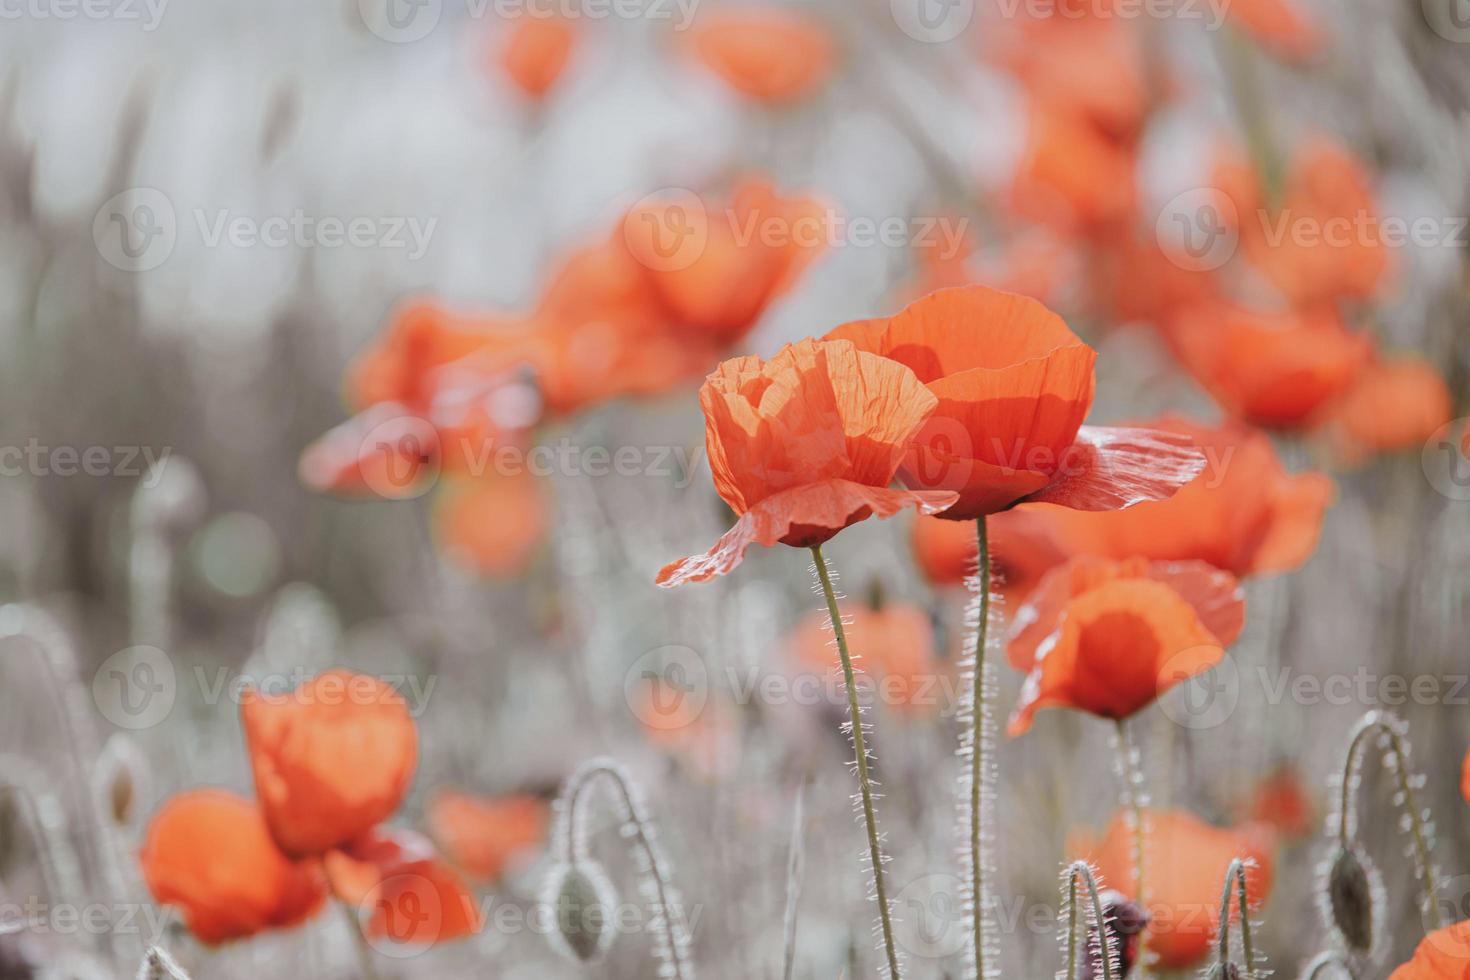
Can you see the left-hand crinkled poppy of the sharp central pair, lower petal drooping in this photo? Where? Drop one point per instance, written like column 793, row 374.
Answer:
column 806, row 444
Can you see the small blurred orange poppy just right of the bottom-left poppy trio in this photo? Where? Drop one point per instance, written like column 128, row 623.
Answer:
column 487, row 837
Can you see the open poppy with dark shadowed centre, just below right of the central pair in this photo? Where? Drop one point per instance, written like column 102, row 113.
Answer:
column 1111, row 637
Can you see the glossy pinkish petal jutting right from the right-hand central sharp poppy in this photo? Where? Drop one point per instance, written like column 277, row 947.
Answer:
column 1116, row 468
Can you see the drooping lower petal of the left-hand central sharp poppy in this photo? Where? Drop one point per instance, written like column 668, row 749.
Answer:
column 802, row 518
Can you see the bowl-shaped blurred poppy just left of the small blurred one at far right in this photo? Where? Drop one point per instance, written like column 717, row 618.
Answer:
column 1277, row 371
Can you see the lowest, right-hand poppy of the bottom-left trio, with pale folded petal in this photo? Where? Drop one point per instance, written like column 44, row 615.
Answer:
column 409, row 896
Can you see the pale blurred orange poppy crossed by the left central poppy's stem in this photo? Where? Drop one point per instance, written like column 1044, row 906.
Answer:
column 896, row 644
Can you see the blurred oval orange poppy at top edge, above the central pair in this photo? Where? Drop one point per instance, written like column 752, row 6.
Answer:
column 772, row 55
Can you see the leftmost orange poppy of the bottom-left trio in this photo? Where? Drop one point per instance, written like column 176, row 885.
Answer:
column 209, row 854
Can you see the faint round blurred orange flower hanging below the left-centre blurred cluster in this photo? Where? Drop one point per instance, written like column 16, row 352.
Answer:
column 492, row 525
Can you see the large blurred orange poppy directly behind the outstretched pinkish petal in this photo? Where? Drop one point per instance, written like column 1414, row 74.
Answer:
column 1244, row 514
